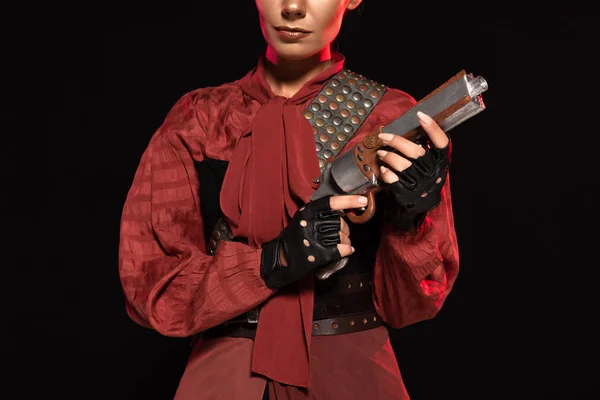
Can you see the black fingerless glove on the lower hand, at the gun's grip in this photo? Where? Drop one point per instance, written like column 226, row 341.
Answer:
column 309, row 241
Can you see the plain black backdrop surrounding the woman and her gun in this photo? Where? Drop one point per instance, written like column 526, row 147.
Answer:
column 86, row 86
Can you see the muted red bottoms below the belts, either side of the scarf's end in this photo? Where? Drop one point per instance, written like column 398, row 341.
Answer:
column 359, row 365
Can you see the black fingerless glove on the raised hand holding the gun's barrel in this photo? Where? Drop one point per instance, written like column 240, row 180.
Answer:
column 419, row 187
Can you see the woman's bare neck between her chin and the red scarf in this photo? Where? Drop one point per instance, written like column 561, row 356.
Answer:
column 286, row 77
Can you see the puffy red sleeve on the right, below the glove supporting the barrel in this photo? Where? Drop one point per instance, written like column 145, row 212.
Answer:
column 405, row 291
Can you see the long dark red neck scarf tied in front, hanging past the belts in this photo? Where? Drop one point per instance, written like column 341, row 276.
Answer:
column 270, row 175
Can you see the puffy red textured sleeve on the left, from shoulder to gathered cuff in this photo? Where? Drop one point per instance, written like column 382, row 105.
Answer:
column 170, row 282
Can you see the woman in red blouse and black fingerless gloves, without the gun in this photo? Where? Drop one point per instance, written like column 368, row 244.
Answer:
column 219, row 238
